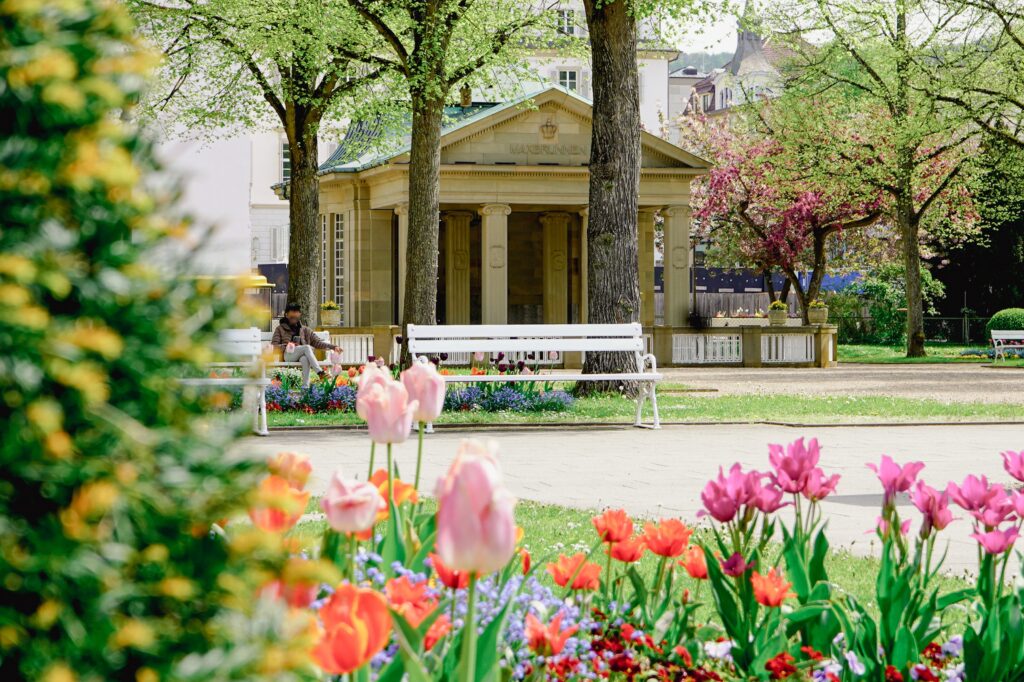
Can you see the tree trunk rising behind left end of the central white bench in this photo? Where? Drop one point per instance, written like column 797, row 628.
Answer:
column 424, row 214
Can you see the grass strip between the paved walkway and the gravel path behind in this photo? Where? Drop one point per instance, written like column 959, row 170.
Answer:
column 681, row 407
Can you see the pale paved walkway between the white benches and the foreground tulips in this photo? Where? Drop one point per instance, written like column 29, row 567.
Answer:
column 655, row 474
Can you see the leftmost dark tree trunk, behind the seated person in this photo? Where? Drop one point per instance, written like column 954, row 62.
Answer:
column 305, row 245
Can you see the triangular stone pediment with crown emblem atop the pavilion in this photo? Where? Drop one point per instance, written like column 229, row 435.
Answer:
column 551, row 129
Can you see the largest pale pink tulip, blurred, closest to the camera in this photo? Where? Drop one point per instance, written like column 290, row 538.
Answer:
column 476, row 524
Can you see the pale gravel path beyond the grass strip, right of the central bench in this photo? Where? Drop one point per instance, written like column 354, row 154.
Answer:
column 942, row 382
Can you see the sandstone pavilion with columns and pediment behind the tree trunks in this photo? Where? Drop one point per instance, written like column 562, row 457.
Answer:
column 514, row 195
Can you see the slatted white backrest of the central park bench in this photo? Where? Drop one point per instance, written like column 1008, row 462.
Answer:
column 425, row 339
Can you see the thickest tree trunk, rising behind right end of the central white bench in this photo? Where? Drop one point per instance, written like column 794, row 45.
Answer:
column 614, row 291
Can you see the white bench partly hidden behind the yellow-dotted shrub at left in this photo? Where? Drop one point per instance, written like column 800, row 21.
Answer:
column 247, row 347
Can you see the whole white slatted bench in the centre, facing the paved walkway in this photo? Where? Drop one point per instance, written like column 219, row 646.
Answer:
column 519, row 340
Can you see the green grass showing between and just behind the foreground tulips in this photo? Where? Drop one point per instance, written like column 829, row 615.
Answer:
column 550, row 531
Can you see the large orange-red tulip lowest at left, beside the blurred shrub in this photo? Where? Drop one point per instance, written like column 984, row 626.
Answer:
column 357, row 627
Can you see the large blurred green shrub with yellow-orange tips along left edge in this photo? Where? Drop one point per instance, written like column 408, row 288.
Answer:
column 114, row 478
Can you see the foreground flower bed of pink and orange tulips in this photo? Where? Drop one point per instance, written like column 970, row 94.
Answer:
column 404, row 593
